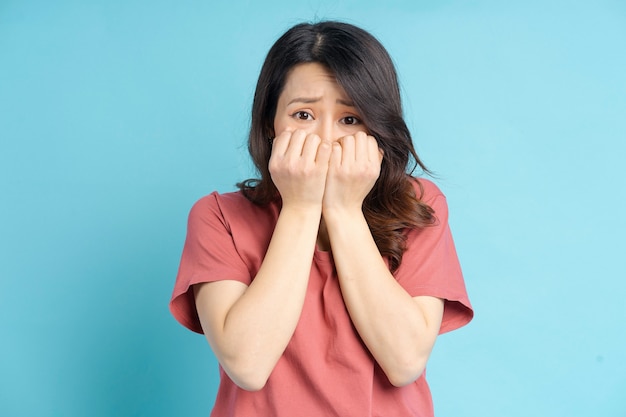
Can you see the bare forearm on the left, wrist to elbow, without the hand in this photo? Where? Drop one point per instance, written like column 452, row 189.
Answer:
column 253, row 332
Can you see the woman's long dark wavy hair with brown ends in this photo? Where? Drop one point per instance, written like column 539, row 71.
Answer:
column 364, row 69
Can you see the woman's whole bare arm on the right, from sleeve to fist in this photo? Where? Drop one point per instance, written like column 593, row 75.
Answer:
column 399, row 330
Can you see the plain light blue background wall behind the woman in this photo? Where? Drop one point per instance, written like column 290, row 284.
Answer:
column 116, row 116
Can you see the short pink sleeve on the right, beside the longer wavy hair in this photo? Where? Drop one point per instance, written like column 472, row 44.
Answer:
column 430, row 265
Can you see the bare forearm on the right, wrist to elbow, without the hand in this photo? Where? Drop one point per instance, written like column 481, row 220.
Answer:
column 396, row 329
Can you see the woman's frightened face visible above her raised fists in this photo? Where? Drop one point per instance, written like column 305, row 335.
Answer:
column 313, row 101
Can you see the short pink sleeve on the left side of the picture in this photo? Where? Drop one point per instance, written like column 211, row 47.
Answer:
column 209, row 254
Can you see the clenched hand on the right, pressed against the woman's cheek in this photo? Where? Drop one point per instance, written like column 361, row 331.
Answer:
column 354, row 168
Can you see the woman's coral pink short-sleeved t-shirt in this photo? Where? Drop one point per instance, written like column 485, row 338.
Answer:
column 326, row 370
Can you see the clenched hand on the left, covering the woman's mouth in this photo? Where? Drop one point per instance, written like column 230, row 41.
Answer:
column 298, row 166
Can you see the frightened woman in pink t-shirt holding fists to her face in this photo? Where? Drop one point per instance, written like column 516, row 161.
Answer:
column 322, row 286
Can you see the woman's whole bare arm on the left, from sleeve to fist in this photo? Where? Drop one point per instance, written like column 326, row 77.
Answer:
column 249, row 327
